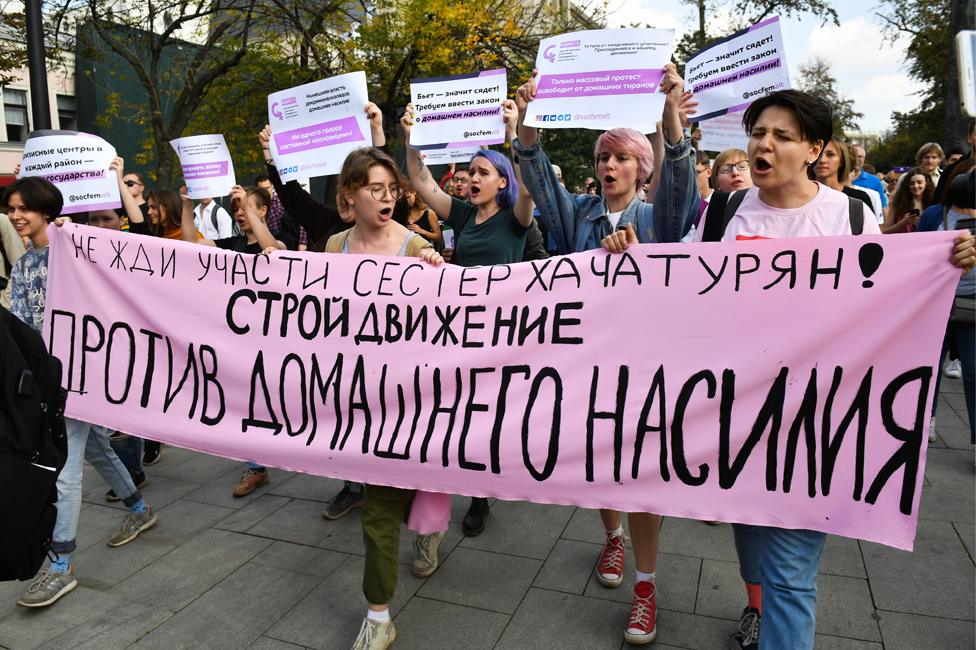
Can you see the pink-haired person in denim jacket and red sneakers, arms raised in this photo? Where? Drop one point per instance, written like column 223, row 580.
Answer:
column 622, row 158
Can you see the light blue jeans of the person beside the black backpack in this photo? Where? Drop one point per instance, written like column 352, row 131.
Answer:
column 86, row 442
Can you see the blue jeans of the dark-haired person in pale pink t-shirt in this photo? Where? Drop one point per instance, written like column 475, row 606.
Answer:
column 785, row 563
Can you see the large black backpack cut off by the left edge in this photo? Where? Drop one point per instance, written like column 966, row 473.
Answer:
column 33, row 447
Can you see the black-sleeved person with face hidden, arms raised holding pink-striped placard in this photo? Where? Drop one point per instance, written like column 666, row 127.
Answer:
column 321, row 222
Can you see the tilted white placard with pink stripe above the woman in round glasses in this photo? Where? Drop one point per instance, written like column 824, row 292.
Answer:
column 315, row 126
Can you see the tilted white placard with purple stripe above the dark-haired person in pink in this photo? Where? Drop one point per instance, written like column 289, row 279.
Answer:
column 730, row 74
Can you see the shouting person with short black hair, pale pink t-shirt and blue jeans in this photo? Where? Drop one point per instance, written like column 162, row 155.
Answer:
column 787, row 132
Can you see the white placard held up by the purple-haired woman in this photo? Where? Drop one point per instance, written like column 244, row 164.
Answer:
column 458, row 112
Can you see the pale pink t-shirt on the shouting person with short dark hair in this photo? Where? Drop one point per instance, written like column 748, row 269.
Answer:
column 826, row 214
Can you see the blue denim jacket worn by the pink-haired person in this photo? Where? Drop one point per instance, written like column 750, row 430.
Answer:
column 577, row 222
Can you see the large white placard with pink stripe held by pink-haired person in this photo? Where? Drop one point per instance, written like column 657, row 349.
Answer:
column 601, row 79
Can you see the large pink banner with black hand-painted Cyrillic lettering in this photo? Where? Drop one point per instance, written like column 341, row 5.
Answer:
column 785, row 383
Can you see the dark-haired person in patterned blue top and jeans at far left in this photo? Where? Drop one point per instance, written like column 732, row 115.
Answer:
column 32, row 203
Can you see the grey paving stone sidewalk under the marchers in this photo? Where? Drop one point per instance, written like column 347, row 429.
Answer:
column 267, row 572
